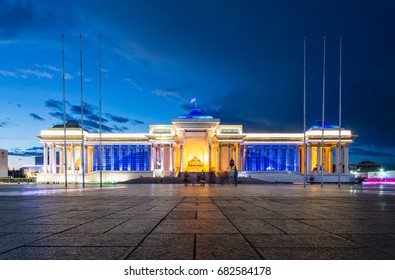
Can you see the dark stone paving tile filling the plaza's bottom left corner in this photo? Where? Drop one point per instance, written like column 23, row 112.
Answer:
column 67, row 253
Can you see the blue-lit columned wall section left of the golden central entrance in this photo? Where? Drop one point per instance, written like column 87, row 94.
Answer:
column 123, row 158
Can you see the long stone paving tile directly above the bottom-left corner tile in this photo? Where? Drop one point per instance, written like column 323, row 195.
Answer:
column 89, row 239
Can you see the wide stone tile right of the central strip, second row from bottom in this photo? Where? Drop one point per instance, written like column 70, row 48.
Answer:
column 295, row 241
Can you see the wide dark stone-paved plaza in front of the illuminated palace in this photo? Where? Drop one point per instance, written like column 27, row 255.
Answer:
column 164, row 221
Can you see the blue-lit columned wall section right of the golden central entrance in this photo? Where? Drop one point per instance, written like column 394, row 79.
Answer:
column 271, row 158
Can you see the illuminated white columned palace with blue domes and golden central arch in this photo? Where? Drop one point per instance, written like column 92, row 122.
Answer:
column 193, row 143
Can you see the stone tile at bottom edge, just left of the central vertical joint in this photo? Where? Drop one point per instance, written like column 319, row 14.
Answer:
column 165, row 247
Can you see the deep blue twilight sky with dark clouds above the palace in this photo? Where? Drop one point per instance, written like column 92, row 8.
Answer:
column 242, row 60
